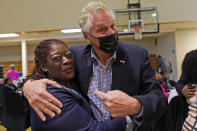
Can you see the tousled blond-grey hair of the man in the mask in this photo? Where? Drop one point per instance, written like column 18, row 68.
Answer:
column 86, row 13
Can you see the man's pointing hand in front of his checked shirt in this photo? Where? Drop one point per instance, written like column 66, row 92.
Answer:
column 119, row 103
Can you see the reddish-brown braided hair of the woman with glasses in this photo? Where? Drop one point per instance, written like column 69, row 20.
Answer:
column 41, row 52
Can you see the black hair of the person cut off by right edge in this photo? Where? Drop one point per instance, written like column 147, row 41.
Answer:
column 189, row 67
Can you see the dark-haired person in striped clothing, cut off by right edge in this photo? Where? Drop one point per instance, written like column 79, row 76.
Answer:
column 187, row 84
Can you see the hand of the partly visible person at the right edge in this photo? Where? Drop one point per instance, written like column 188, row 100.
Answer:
column 188, row 91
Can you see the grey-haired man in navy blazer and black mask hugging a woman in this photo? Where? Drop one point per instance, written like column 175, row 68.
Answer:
column 120, row 74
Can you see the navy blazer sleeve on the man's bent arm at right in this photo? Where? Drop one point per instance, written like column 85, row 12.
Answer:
column 152, row 98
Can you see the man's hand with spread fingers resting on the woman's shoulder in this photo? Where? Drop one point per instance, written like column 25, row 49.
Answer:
column 40, row 100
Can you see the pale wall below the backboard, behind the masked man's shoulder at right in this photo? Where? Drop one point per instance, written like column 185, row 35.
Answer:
column 165, row 47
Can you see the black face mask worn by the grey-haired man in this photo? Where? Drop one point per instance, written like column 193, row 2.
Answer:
column 108, row 43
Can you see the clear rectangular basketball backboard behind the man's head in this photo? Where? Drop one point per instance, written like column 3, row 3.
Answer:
column 147, row 17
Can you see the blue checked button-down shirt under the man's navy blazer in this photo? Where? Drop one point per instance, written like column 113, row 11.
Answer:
column 101, row 80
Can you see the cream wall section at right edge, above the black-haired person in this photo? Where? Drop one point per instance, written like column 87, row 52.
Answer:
column 186, row 40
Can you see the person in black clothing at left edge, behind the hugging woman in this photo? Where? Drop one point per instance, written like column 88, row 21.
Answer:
column 15, row 110
